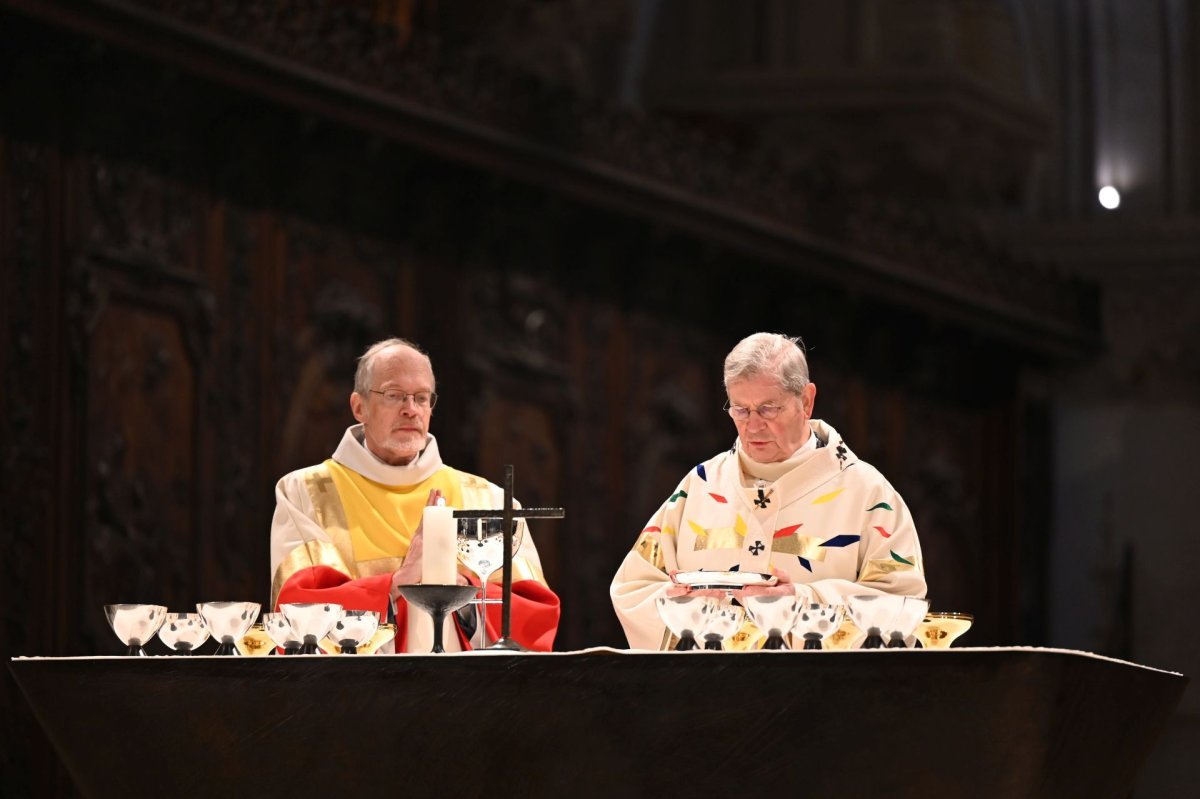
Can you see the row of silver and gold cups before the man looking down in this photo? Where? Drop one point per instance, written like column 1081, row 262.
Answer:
column 865, row 622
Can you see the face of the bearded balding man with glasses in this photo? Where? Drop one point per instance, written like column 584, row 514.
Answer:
column 395, row 434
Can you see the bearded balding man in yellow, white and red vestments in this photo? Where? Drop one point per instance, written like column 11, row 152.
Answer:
column 349, row 531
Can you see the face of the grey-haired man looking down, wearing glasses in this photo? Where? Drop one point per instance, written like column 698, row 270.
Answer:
column 771, row 441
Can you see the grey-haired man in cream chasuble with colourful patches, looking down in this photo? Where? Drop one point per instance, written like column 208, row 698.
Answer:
column 789, row 500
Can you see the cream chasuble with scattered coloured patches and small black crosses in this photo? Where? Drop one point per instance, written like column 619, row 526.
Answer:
column 832, row 524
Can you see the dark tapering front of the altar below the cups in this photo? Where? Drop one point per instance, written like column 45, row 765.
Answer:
column 967, row 723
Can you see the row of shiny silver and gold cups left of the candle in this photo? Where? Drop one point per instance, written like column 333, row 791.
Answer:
column 298, row 628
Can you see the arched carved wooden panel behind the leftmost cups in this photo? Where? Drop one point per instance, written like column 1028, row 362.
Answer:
column 141, row 466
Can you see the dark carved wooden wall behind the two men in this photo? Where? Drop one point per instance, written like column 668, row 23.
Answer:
column 193, row 261
